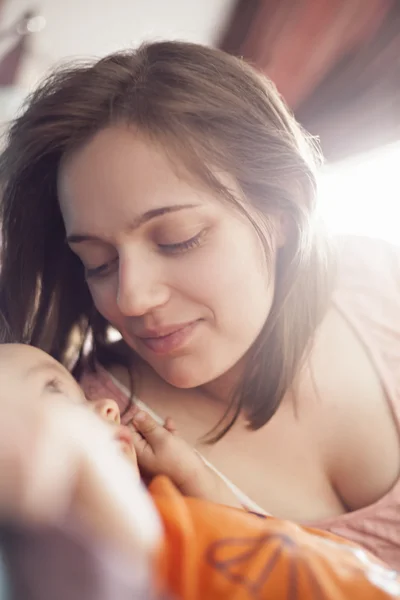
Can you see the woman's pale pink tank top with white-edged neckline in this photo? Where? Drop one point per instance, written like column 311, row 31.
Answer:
column 367, row 294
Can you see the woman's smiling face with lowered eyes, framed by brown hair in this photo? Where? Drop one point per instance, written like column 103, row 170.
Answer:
column 177, row 271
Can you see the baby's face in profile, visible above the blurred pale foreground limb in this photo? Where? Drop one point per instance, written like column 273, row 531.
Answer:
column 27, row 371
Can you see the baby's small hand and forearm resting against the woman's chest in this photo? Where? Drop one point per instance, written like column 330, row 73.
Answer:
column 160, row 451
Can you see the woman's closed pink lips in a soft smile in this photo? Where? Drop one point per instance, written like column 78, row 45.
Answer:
column 168, row 339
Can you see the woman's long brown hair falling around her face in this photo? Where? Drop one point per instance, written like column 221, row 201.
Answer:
column 218, row 115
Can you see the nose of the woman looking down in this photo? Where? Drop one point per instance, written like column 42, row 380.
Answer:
column 141, row 288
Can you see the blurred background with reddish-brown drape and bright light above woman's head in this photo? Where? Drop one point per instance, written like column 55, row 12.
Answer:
column 336, row 63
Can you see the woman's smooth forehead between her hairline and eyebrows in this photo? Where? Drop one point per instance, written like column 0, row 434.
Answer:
column 119, row 175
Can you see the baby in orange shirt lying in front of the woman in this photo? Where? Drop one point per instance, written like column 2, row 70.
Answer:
column 204, row 549
